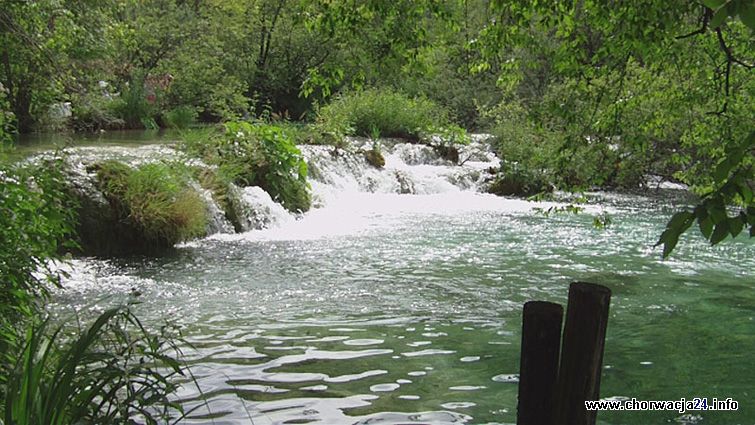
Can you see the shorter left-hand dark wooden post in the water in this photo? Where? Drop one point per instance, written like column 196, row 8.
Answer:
column 538, row 370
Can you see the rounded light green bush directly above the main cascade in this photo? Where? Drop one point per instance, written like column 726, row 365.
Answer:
column 386, row 113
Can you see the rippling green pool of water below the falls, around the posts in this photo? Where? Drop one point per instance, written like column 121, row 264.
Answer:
column 395, row 309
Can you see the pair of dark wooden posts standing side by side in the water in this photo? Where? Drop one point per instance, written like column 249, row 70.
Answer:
column 551, row 393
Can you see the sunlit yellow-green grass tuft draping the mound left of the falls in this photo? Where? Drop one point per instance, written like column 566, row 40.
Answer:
column 156, row 201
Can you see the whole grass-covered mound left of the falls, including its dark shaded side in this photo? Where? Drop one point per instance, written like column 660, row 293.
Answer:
column 139, row 210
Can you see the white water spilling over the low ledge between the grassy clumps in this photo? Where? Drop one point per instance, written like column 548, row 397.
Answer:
column 409, row 169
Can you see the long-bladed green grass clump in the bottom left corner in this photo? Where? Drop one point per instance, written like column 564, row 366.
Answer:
column 114, row 371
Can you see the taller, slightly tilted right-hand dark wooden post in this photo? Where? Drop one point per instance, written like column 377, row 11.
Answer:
column 582, row 353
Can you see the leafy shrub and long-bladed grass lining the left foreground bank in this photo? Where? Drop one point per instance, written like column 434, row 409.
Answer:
column 113, row 370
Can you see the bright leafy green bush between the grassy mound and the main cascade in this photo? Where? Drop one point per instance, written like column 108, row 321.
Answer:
column 266, row 156
